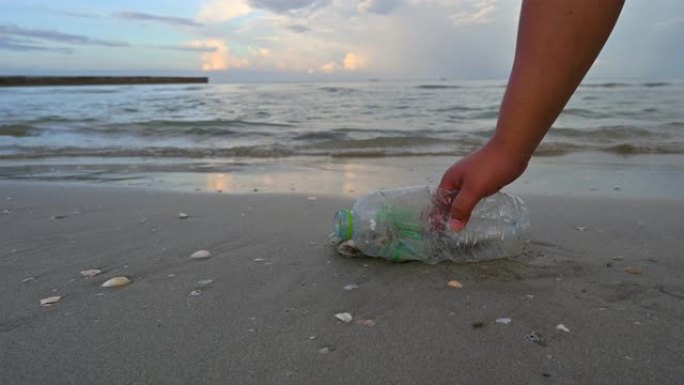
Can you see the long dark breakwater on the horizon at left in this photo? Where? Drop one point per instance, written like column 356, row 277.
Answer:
column 31, row 81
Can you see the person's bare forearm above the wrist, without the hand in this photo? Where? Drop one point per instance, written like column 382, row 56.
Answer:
column 558, row 41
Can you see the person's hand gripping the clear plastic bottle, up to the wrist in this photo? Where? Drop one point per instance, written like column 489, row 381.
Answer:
column 479, row 175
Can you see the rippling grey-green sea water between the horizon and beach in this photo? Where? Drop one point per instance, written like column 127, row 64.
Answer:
column 133, row 134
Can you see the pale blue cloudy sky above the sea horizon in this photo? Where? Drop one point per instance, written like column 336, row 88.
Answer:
column 245, row 40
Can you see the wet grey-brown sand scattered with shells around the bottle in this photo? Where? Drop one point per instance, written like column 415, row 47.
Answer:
column 269, row 315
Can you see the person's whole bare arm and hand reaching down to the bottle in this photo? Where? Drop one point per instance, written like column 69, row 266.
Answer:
column 558, row 41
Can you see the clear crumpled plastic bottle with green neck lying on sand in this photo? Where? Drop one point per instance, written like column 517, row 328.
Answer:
column 412, row 223
